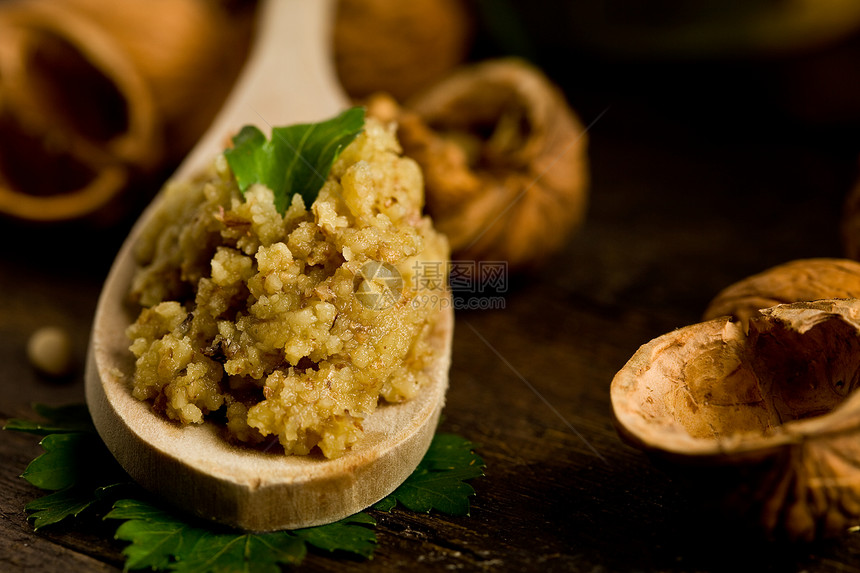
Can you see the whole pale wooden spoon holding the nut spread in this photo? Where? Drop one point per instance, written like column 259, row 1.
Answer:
column 288, row 79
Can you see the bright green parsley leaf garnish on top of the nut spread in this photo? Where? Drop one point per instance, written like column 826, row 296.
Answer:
column 298, row 158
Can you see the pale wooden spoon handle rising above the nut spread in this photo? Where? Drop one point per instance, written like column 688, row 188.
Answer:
column 289, row 77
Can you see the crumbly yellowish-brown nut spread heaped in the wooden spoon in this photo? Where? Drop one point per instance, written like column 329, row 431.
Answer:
column 291, row 326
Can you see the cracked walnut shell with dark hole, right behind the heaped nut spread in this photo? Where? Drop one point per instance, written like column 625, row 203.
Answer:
column 504, row 161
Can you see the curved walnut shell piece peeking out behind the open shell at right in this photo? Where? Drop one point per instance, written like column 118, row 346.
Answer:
column 794, row 281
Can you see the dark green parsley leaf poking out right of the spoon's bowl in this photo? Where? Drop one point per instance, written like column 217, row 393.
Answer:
column 439, row 481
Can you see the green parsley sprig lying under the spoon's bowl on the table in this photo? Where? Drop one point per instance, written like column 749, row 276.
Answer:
column 162, row 540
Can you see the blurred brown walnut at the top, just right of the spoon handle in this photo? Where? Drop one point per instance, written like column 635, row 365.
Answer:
column 398, row 47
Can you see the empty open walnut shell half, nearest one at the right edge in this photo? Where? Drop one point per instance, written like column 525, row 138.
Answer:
column 767, row 421
